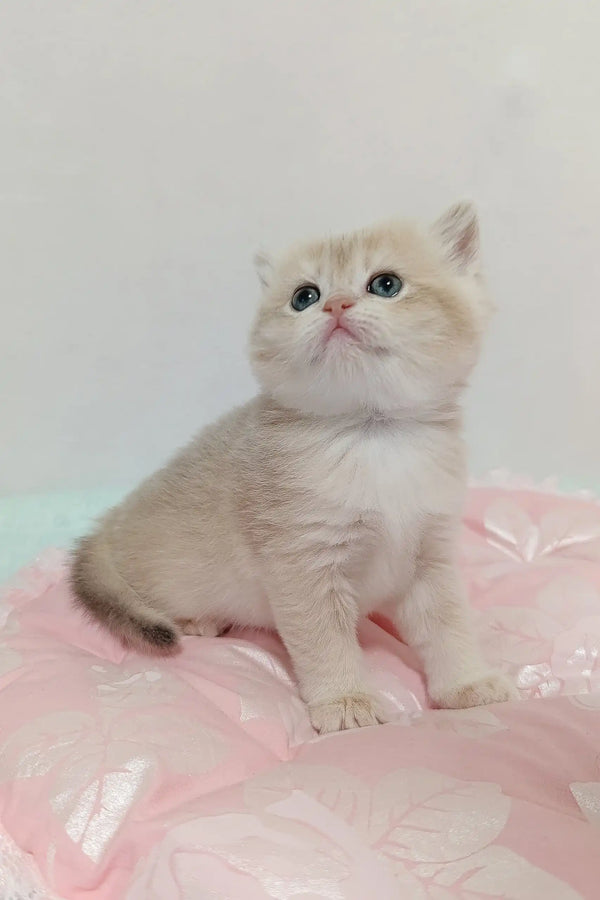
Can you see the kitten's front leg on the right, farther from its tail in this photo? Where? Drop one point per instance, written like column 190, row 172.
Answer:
column 434, row 619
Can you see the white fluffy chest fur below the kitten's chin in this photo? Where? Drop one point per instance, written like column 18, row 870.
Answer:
column 390, row 478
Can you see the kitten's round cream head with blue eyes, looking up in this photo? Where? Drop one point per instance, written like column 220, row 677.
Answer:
column 387, row 320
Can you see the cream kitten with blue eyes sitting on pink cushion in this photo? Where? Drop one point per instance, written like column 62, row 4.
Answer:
column 335, row 491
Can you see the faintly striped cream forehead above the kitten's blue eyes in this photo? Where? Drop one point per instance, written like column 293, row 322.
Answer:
column 344, row 257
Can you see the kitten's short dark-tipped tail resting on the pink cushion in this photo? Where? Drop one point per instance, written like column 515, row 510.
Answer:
column 106, row 597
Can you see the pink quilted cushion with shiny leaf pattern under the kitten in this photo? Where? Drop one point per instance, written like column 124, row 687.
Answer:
column 200, row 776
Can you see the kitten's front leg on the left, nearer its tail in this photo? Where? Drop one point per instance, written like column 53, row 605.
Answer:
column 317, row 623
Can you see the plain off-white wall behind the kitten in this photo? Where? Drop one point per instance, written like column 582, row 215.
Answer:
column 148, row 146
